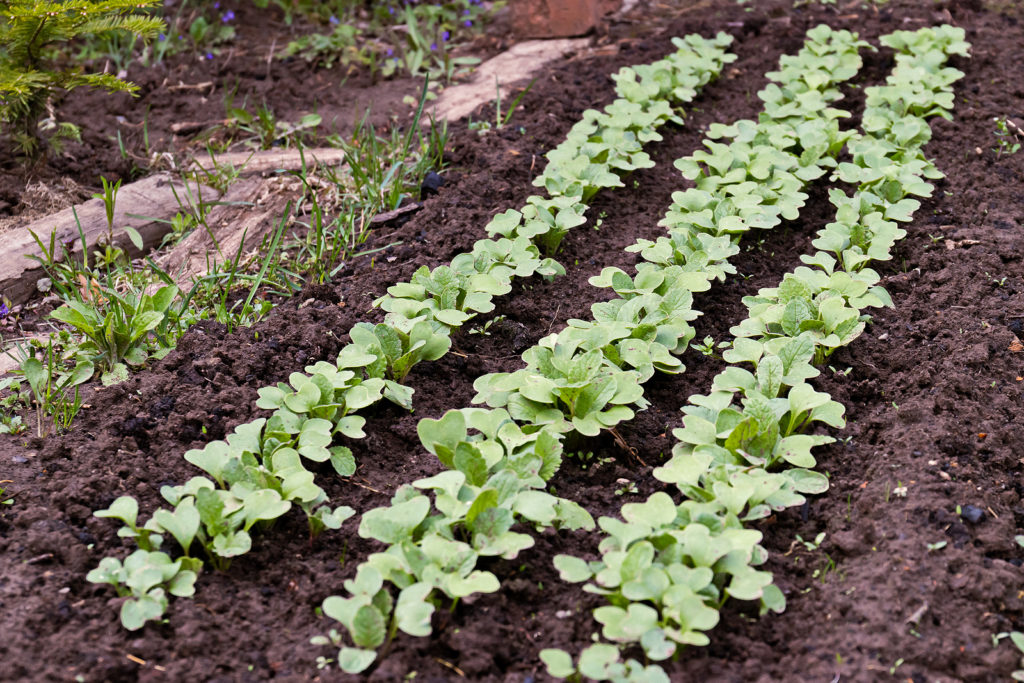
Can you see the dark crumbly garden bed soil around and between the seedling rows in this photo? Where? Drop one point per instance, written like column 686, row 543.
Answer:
column 932, row 453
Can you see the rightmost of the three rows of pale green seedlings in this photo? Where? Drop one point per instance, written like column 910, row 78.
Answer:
column 745, row 450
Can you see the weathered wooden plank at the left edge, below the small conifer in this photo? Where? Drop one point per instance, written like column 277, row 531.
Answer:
column 158, row 198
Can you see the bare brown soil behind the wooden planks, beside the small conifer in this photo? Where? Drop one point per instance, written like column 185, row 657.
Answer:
column 183, row 104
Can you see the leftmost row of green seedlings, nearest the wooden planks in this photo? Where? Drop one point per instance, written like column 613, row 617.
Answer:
column 258, row 474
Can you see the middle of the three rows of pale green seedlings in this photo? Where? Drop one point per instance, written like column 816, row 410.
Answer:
column 586, row 379
